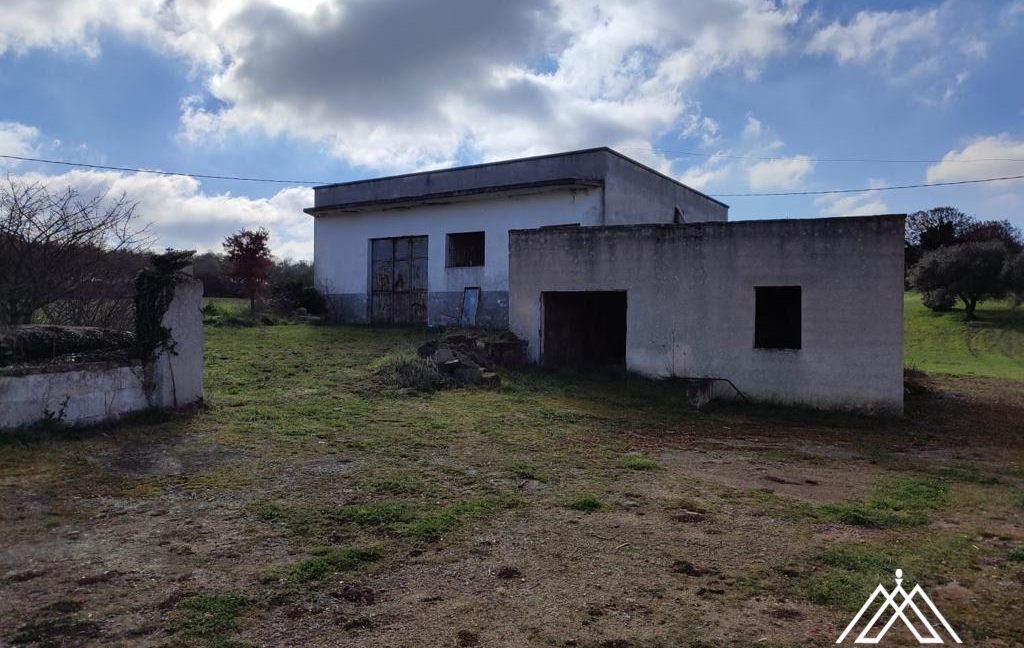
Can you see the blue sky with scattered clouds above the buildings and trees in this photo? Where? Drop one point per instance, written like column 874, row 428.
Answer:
column 730, row 97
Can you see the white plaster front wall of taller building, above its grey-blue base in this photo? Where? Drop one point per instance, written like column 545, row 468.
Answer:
column 342, row 242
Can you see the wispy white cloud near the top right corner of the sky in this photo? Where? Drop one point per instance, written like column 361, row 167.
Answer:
column 876, row 34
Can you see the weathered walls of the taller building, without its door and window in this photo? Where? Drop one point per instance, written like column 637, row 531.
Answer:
column 623, row 193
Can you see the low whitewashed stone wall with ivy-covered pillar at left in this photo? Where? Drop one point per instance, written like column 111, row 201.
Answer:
column 91, row 394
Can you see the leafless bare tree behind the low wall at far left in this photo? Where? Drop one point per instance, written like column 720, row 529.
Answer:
column 59, row 246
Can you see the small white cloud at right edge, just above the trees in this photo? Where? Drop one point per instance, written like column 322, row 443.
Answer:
column 995, row 156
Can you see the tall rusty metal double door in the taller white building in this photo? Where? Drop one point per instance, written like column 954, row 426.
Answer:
column 399, row 281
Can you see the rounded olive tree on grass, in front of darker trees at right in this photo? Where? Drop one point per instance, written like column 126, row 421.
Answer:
column 972, row 272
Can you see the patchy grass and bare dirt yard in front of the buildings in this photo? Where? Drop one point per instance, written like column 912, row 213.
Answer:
column 311, row 504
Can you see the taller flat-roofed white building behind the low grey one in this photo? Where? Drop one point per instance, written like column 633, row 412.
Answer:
column 434, row 247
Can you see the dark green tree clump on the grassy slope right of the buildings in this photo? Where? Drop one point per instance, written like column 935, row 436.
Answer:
column 952, row 257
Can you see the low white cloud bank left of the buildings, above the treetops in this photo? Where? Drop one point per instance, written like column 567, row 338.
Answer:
column 184, row 217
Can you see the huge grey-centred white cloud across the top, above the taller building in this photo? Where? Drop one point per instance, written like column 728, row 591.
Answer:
column 399, row 84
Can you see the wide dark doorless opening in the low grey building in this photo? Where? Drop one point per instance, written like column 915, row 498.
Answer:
column 585, row 329
